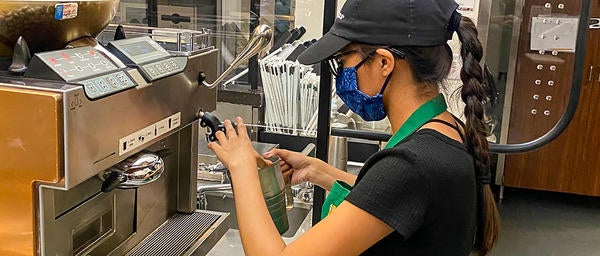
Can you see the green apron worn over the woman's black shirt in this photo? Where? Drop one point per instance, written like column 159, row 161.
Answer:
column 422, row 115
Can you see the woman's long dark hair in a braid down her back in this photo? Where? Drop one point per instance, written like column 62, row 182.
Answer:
column 430, row 66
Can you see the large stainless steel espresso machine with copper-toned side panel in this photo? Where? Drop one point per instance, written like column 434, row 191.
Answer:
column 98, row 143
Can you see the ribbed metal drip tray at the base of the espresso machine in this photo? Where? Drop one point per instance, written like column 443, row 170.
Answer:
column 185, row 234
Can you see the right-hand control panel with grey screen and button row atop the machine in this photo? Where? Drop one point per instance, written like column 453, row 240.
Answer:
column 153, row 61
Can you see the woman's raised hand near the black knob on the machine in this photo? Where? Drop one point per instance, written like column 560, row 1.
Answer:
column 235, row 149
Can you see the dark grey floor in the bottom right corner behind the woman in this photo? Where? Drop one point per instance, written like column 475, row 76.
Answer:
column 547, row 223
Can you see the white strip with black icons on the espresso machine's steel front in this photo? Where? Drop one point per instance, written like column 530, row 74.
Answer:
column 149, row 133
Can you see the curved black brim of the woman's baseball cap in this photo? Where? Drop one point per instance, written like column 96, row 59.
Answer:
column 328, row 45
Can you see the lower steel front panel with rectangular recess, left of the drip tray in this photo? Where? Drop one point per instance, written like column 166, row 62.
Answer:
column 93, row 223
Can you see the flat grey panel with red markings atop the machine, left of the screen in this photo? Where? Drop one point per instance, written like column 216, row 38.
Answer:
column 77, row 63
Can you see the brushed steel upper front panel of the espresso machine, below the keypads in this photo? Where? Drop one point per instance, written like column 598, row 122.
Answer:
column 91, row 131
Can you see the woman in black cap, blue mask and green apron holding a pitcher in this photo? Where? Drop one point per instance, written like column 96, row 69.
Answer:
column 427, row 193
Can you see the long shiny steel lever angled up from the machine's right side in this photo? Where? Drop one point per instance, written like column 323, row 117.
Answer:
column 260, row 38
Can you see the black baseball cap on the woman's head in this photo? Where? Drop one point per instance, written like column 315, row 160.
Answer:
column 385, row 22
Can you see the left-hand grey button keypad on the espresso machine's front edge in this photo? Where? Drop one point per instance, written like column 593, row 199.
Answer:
column 100, row 86
